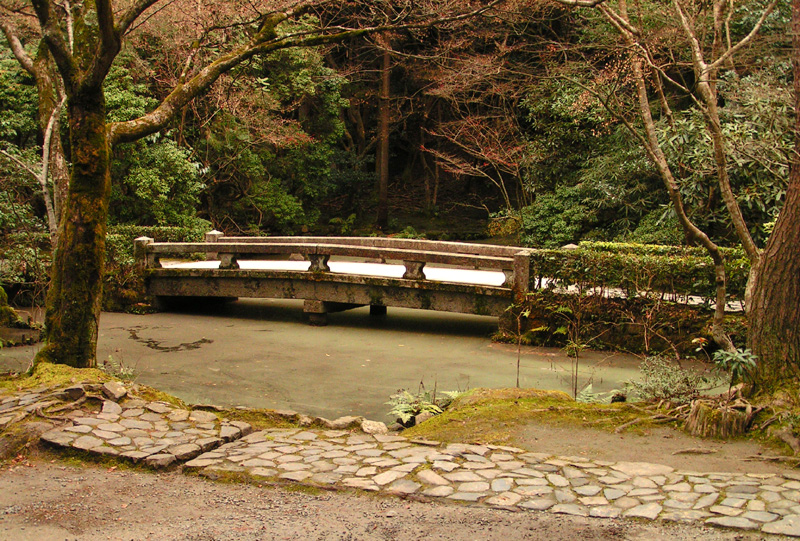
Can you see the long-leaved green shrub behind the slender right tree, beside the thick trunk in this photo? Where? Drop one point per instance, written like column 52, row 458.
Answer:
column 757, row 118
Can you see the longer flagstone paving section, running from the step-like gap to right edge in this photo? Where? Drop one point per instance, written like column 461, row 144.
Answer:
column 511, row 477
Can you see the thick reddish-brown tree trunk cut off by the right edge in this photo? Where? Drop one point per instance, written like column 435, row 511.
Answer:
column 774, row 317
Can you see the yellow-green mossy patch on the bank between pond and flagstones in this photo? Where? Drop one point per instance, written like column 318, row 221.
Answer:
column 494, row 416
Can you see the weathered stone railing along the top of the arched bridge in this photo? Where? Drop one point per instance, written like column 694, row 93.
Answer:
column 514, row 262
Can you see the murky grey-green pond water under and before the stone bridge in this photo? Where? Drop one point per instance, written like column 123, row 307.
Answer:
column 261, row 353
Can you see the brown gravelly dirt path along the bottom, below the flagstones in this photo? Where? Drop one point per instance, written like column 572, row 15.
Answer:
column 46, row 499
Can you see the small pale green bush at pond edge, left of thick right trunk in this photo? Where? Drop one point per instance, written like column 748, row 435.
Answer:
column 663, row 379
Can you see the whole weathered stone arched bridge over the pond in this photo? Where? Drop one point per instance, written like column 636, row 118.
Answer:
column 337, row 273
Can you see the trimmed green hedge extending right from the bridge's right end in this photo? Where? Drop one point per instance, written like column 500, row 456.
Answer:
column 670, row 270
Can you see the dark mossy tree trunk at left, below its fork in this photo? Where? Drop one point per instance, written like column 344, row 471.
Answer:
column 73, row 301
